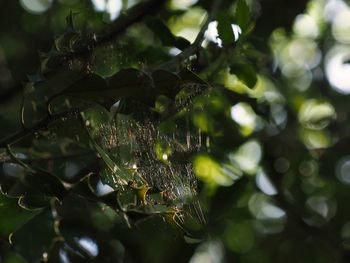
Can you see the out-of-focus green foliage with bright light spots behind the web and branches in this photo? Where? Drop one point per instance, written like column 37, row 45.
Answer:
column 275, row 183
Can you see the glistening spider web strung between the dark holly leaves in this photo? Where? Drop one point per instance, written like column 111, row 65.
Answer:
column 147, row 154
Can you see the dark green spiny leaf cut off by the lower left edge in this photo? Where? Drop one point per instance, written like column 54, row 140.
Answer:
column 12, row 215
